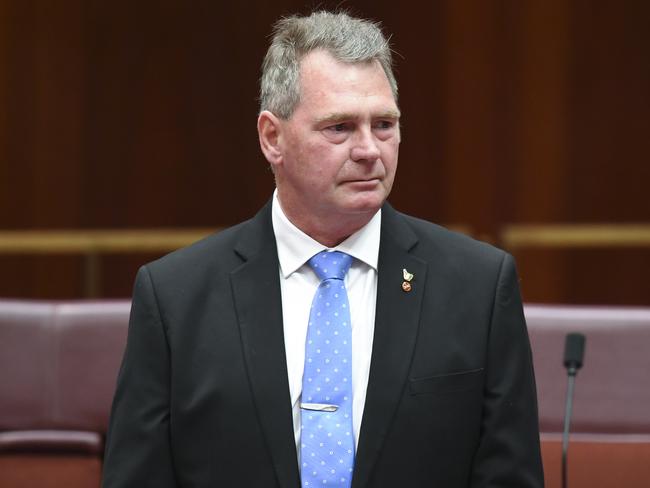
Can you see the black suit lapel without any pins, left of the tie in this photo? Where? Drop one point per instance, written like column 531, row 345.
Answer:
column 256, row 292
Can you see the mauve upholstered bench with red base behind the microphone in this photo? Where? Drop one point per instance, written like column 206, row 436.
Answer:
column 610, row 441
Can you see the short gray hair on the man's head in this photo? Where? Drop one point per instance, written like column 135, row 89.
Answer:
column 347, row 39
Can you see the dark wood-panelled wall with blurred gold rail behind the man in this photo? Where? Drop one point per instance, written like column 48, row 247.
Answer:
column 127, row 128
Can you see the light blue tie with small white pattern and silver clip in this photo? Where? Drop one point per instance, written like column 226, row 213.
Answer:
column 326, row 439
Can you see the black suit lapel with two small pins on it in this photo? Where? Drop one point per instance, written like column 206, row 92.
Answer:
column 396, row 324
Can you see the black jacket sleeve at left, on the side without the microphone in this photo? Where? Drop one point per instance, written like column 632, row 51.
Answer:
column 138, row 451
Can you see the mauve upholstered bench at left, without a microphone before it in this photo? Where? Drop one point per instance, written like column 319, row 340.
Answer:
column 58, row 366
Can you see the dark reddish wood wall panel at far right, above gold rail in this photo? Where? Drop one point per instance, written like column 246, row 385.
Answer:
column 610, row 112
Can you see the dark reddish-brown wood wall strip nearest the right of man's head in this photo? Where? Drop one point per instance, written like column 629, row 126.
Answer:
column 472, row 112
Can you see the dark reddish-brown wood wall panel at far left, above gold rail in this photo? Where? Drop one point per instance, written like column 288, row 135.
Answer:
column 43, row 99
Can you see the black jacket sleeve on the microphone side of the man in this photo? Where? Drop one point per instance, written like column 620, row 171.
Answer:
column 509, row 448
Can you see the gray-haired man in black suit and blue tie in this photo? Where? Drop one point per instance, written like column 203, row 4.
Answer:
column 249, row 364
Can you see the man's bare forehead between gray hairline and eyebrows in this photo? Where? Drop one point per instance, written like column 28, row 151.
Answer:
column 326, row 80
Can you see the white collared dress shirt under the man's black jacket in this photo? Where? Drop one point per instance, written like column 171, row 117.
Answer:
column 298, row 285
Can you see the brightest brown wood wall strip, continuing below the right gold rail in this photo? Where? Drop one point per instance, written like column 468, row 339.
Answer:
column 539, row 137
